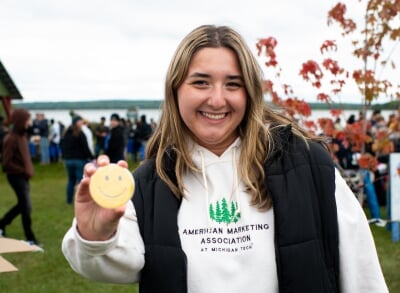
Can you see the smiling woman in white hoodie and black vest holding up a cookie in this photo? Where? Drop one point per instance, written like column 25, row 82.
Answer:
column 231, row 198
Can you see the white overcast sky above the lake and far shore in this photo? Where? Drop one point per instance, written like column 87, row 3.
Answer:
column 96, row 49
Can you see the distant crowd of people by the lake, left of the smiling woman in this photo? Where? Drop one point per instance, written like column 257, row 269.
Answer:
column 46, row 137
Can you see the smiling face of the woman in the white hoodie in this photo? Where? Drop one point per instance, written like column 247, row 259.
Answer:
column 212, row 98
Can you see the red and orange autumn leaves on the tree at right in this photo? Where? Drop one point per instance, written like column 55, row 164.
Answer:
column 370, row 48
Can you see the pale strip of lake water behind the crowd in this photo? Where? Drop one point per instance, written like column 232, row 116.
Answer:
column 95, row 115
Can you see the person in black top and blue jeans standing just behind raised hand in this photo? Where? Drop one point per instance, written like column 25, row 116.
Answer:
column 76, row 154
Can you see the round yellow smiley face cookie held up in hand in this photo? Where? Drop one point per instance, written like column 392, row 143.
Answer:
column 111, row 186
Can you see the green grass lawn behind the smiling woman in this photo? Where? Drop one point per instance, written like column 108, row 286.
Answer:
column 50, row 272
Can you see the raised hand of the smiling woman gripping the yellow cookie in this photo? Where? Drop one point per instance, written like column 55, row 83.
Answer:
column 95, row 223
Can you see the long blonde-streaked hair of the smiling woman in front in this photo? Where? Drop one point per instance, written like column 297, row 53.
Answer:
column 254, row 131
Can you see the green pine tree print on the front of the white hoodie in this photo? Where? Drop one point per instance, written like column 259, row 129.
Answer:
column 222, row 212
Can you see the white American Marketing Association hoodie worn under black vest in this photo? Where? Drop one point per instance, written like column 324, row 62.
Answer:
column 229, row 243
